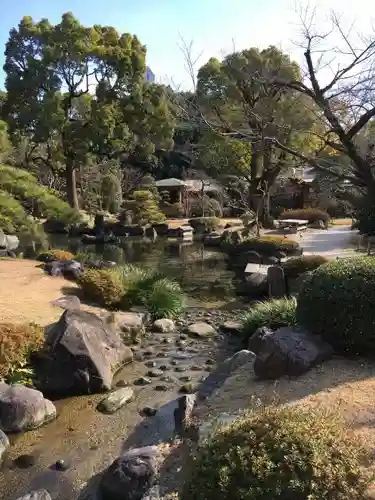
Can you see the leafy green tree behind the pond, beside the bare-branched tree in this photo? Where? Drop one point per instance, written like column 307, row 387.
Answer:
column 235, row 103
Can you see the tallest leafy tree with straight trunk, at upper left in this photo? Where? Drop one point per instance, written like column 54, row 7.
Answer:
column 80, row 90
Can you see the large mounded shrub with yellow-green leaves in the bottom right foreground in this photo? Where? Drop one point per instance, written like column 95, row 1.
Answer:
column 280, row 453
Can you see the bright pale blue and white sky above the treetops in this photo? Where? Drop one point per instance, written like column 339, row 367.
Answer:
column 216, row 26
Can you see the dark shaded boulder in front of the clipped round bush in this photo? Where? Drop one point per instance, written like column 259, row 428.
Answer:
column 287, row 351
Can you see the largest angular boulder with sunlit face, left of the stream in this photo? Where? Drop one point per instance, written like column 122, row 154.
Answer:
column 82, row 355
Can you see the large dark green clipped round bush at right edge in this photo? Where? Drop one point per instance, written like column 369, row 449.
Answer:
column 337, row 302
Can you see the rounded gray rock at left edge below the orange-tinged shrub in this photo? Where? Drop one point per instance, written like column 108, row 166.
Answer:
column 23, row 409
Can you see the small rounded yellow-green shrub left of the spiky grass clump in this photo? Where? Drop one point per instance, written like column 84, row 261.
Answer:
column 102, row 286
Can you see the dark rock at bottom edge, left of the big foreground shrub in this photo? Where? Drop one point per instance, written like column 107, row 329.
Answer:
column 131, row 475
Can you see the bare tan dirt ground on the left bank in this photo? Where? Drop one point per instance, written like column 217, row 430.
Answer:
column 27, row 293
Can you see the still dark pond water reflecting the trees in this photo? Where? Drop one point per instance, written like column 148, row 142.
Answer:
column 201, row 271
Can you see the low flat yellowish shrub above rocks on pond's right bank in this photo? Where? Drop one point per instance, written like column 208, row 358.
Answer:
column 265, row 245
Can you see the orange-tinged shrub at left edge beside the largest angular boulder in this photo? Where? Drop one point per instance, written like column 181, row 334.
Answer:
column 17, row 342
